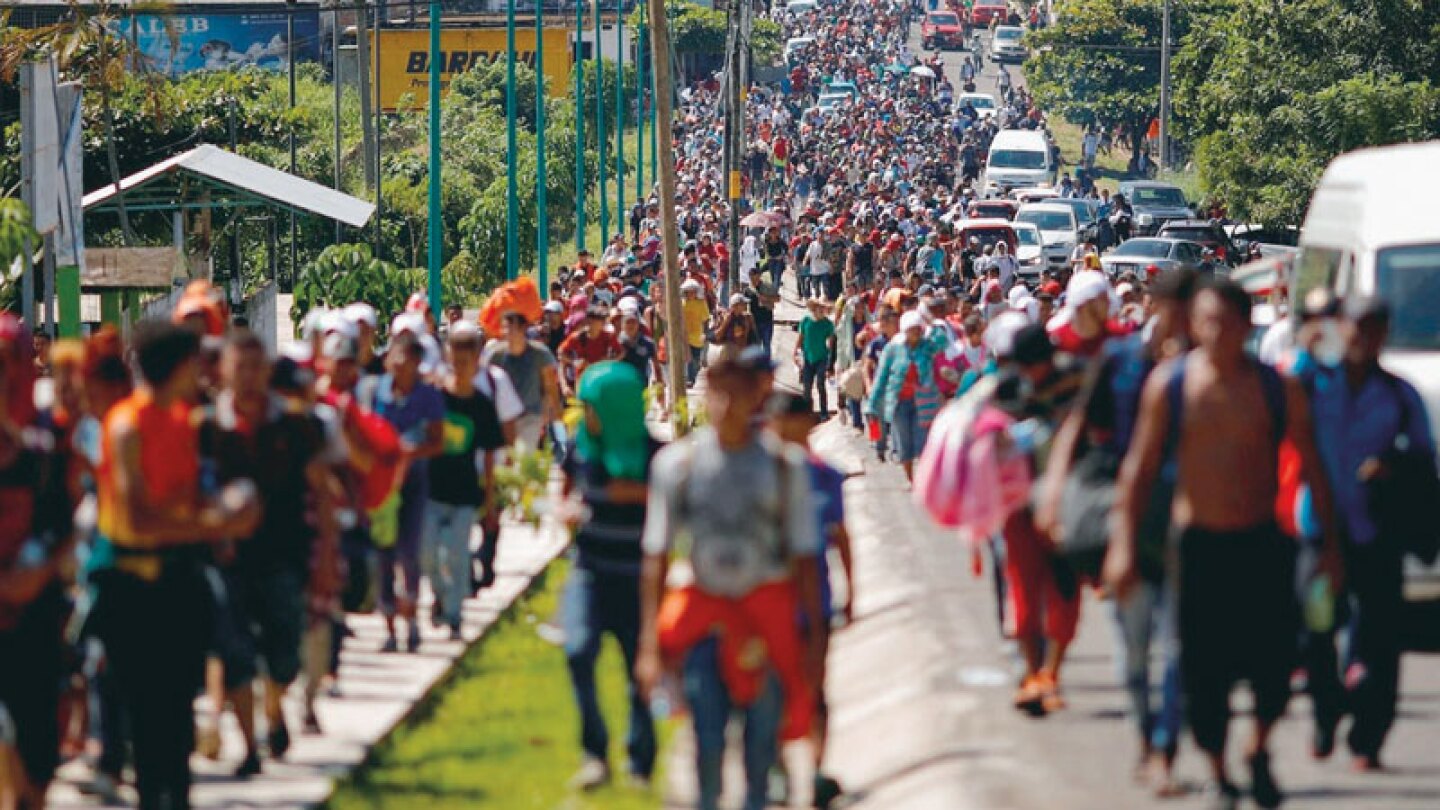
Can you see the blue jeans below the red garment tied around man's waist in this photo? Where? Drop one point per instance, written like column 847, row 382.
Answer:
column 711, row 711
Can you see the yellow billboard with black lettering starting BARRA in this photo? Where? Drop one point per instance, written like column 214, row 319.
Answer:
column 405, row 60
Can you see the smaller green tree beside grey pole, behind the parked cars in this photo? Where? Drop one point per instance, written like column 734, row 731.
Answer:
column 1101, row 64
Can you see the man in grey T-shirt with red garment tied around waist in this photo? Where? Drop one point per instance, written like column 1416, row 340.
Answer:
column 742, row 504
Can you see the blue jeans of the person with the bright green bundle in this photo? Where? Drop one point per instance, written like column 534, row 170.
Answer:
column 595, row 605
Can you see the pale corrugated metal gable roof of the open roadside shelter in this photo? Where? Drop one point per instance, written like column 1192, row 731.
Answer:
column 251, row 178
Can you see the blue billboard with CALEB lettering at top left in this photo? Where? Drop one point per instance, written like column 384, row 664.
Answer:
column 222, row 41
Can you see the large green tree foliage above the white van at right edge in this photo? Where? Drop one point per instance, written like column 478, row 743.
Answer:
column 1272, row 99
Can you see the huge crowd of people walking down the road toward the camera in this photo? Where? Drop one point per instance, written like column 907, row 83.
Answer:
column 191, row 514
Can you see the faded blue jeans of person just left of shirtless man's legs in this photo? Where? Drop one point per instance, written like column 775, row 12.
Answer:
column 1148, row 615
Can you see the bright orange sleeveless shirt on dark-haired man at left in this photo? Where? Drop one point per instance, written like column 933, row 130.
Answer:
column 169, row 465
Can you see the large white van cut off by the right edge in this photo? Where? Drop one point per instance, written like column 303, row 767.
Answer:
column 1372, row 230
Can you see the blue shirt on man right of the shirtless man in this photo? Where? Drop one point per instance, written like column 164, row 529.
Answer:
column 1356, row 426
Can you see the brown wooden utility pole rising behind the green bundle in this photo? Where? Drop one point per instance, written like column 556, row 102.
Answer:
column 669, row 230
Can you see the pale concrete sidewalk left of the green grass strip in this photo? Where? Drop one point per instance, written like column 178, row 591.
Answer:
column 377, row 694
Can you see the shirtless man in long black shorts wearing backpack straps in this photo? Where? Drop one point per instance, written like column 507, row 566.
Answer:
column 1215, row 420
